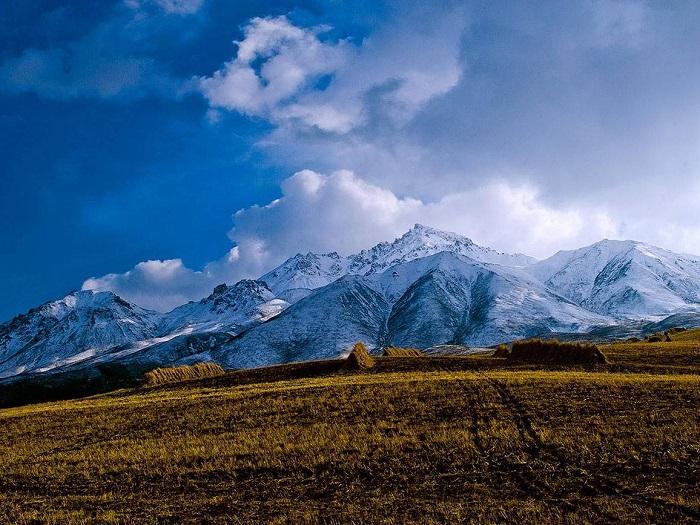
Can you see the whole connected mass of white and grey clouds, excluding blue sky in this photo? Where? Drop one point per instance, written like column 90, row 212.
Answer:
column 531, row 129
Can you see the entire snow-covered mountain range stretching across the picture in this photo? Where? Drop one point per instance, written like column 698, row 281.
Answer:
column 426, row 288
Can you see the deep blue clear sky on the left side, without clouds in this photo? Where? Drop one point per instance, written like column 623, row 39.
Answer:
column 94, row 184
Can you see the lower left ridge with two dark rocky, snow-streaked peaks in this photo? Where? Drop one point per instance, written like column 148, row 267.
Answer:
column 88, row 328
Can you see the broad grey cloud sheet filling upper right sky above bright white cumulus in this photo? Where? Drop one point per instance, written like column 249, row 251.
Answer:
column 600, row 95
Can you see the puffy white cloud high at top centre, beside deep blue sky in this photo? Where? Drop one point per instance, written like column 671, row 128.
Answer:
column 278, row 65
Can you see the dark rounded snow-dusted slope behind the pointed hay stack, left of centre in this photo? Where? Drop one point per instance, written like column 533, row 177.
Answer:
column 323, row 325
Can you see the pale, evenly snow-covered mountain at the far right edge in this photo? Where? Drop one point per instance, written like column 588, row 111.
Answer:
column 624, row 279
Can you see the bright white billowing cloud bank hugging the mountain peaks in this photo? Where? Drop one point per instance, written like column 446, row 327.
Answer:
column 342, row 212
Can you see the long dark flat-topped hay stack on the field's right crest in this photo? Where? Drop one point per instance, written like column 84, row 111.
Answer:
column 556, row 352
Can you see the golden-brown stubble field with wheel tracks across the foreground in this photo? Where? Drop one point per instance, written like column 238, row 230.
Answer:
column 411, row 440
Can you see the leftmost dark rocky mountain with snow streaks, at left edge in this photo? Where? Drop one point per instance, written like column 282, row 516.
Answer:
column 81, row 325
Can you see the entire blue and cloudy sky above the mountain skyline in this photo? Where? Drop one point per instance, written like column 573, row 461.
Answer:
column 157, row 148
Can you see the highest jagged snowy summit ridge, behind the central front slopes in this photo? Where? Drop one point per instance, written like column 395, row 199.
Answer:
column 311, row 271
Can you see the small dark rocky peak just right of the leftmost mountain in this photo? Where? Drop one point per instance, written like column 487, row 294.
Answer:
column 229, row 309
